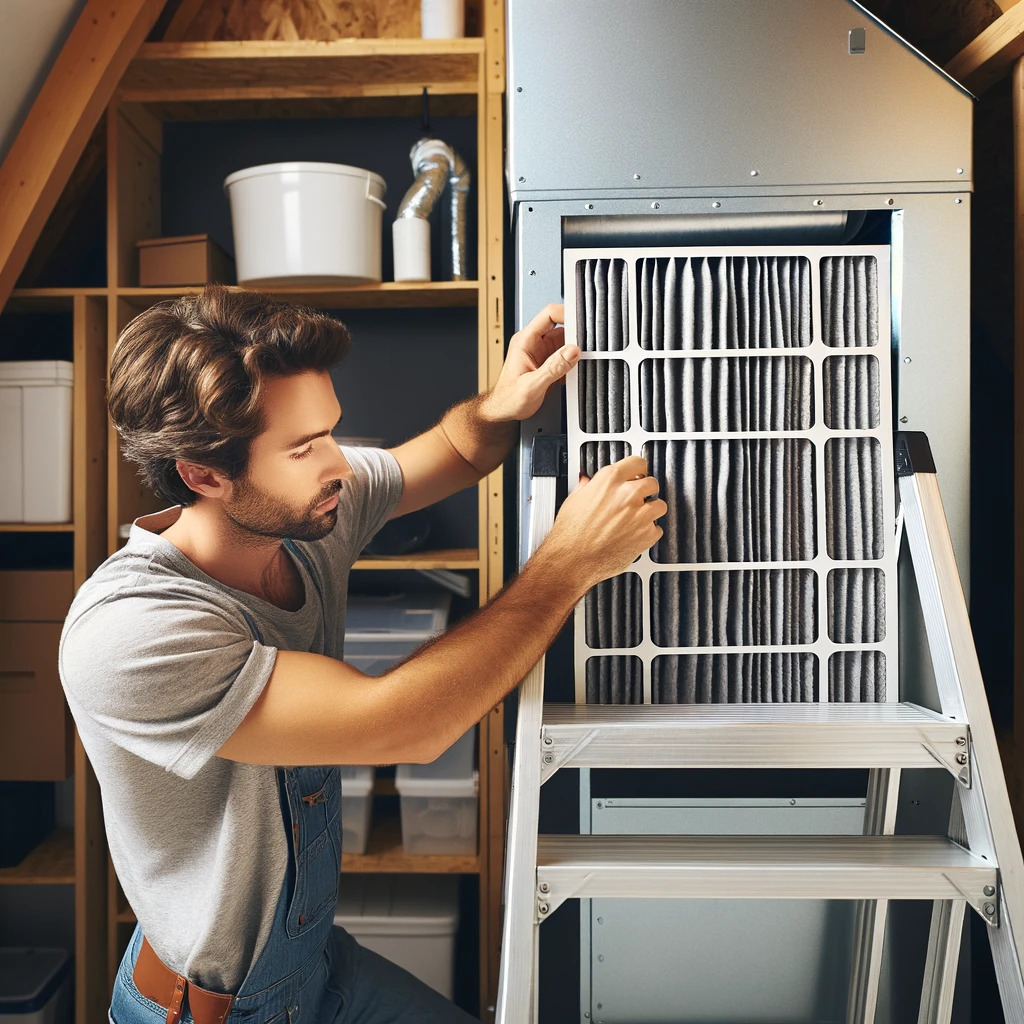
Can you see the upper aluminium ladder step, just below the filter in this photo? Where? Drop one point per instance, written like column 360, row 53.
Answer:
column 813, row 736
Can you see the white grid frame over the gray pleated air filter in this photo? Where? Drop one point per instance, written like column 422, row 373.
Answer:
column 823, row 564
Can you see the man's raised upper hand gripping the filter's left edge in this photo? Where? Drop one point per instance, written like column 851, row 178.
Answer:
column 538, row 359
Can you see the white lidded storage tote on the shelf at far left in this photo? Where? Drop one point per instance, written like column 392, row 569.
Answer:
column 35, row 441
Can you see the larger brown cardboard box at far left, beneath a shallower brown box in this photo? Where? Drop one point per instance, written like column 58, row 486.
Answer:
column 36, row 732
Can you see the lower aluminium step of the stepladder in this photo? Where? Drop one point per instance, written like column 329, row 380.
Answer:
column 762, row 868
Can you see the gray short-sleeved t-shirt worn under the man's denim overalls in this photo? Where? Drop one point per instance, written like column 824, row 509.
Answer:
column 160, row 667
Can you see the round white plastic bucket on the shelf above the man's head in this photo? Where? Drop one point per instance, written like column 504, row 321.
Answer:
column 307, row 224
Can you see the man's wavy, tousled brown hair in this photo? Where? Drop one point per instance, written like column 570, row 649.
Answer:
column 187, row 377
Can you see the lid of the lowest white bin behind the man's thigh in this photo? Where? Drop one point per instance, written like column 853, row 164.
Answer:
column 399, row 905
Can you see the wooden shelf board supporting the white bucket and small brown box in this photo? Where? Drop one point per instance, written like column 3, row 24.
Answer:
column 390, row 294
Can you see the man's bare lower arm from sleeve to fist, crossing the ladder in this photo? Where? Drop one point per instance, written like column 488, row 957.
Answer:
column 318, row 711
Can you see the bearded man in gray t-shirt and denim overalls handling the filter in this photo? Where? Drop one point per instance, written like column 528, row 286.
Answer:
column 204, row 657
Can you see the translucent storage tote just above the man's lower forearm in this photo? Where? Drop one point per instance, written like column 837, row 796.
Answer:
column 381, row 631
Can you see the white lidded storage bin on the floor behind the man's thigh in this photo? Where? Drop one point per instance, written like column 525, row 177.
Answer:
column 410, row 920
